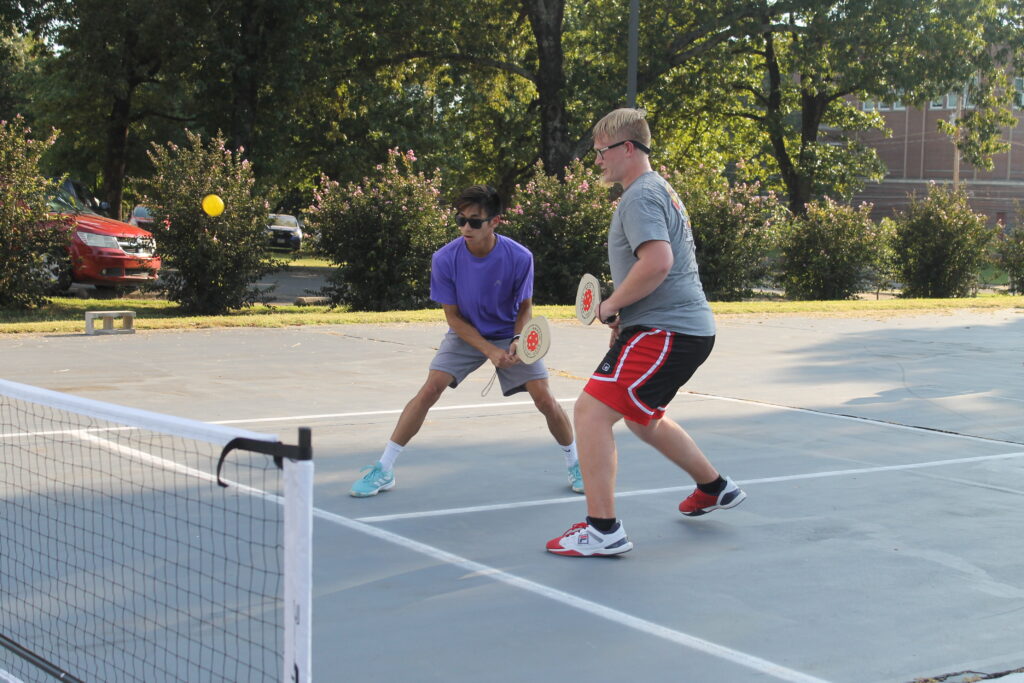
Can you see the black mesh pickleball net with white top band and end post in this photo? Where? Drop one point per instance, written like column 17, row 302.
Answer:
column 124, row 559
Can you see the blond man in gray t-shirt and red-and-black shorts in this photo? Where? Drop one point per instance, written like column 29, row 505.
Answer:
column 662, row 331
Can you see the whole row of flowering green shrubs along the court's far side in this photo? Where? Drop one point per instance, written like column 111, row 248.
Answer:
column 382, row 231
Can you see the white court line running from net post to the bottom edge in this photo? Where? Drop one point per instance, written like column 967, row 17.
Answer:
column 598, row 610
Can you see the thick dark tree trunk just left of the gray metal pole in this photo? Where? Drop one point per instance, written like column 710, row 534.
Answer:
column 546, row 20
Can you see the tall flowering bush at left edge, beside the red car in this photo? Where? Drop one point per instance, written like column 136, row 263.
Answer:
column 33, row 245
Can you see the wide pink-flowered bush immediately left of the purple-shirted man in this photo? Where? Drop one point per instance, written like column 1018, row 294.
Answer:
column 381, row 233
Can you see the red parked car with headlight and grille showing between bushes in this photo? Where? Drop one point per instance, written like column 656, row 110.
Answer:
column 104, row 252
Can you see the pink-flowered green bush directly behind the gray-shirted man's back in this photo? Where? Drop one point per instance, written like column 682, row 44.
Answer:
column 735, row 228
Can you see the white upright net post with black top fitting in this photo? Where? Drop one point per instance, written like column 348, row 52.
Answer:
column 298, row 562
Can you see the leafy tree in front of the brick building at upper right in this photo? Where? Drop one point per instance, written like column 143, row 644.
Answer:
column 806, row 60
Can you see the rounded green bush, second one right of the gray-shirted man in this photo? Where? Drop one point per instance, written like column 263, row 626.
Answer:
column 831, row 252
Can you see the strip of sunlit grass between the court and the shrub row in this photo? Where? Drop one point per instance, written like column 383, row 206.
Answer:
column 67, row 316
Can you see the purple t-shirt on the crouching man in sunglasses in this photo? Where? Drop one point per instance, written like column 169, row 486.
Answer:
column 487, row 290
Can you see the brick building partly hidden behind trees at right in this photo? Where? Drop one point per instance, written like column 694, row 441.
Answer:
column 918, row 153
